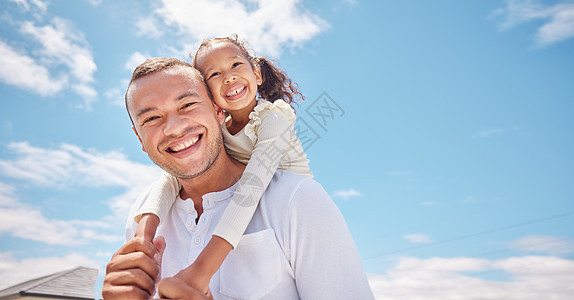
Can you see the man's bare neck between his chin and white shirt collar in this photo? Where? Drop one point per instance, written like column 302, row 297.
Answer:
column 224, row 173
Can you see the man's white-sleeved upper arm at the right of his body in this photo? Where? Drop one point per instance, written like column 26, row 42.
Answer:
column 325, row 261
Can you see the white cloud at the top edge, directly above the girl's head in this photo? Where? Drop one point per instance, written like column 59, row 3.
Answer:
column 269, row 26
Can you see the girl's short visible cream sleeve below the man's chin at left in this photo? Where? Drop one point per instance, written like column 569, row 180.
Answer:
column 160, row 198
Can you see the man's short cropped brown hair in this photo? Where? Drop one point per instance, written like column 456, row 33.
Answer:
column 156, row 64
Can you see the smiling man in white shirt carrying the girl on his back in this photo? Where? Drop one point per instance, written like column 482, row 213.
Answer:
column 297, row 244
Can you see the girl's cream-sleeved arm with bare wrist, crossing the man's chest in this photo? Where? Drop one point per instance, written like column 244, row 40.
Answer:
column 273, row 135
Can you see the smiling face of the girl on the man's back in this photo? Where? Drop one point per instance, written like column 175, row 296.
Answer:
column 230, row 76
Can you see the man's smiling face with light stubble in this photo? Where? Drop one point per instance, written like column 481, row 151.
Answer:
column 176, row 122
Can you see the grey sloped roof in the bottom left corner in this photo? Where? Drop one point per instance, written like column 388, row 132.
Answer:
column 77, row 283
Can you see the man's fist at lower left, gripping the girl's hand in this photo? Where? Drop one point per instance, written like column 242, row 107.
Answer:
column 134, row 270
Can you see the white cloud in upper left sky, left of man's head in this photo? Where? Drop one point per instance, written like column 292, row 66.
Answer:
column 50, row 58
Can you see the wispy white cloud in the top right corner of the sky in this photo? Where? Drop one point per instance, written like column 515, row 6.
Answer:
column 558, row 19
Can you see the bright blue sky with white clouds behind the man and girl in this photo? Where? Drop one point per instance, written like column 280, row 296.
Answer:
column 443, row 131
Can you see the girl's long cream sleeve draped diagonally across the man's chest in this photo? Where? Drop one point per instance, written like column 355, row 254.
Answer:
column 273, row 132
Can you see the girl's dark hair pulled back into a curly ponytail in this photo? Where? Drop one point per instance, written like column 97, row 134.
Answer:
column 276, row 84
